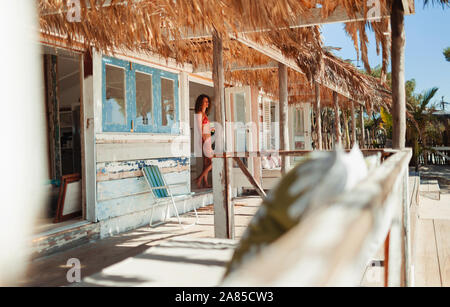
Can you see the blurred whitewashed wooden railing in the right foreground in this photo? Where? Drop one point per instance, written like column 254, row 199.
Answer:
column 333, row 245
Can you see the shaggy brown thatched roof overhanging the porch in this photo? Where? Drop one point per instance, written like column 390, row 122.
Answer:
column 176, row 29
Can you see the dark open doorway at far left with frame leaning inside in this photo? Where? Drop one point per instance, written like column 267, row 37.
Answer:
column 62, row 98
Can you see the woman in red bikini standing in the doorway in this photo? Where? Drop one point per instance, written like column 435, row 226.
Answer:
column 204, row 129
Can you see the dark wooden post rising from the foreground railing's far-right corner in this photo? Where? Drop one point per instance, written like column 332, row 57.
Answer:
column 398, row 75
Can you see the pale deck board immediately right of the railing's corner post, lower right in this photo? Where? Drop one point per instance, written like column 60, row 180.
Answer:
column 426, row 266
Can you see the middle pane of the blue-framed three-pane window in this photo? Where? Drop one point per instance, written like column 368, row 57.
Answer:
column 144, row 103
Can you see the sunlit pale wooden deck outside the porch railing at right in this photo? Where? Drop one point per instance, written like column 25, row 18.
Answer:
column 430, row 235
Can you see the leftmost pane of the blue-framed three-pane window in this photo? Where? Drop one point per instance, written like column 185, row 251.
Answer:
column 115, row 108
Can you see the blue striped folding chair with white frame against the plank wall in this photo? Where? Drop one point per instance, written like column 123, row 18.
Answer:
column 161, row 193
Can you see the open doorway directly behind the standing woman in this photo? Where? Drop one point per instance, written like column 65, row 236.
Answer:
column 195, row 90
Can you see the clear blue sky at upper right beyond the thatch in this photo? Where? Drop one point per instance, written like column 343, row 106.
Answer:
column 427, row 34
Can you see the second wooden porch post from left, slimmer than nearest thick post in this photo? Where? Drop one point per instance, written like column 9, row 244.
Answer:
column 283, row 109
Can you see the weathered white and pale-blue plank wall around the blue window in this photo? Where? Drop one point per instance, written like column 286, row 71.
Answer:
column 123, row 200
